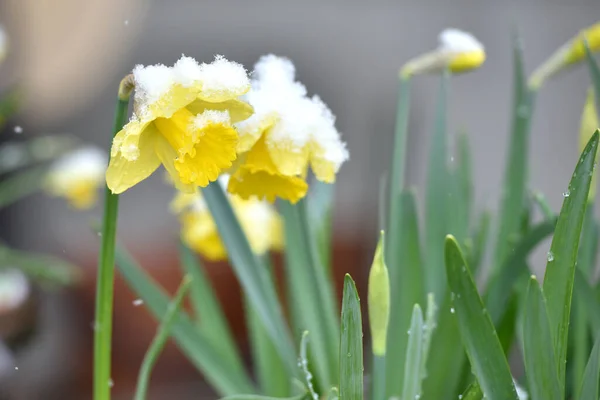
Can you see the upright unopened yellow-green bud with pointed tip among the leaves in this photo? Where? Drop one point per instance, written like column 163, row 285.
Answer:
column 379, row 300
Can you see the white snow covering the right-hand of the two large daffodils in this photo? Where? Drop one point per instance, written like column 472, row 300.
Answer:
column 300, row 120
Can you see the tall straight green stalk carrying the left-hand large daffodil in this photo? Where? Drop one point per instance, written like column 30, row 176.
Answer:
column 106, row 267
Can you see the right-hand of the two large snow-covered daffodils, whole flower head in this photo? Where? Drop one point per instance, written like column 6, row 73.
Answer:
column 288, row 133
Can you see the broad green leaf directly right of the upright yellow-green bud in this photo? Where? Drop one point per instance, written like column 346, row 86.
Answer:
column 406, row 290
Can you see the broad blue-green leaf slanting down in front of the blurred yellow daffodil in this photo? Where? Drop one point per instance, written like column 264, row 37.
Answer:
column 251, row 274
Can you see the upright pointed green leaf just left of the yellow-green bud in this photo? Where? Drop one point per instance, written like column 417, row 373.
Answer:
column 351, row 351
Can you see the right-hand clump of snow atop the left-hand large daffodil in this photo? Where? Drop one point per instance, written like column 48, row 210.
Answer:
column 223, row 77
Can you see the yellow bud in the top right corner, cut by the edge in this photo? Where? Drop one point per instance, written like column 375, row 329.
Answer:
column 569, row 54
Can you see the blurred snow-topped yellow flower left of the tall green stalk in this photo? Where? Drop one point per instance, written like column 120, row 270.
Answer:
column 77, row 177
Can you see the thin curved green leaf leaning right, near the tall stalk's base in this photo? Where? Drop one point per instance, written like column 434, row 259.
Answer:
column 160, row 339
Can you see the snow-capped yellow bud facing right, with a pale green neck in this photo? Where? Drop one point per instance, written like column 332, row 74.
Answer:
column 458, row 51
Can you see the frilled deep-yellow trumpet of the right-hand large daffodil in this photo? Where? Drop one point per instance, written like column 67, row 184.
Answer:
column 248, row 182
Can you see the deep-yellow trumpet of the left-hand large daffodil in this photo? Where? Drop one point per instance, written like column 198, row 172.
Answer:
column 214, row 152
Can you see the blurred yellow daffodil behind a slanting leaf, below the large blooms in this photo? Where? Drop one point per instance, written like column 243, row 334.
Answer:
column 258, row 219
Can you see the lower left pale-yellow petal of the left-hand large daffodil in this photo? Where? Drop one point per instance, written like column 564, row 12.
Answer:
column 123, row 173
